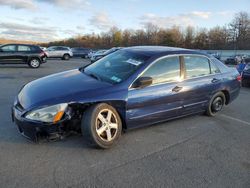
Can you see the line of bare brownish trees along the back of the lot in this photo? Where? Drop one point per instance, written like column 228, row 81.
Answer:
column 235, row 35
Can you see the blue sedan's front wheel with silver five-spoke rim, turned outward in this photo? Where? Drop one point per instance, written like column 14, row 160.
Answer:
column 91, row 124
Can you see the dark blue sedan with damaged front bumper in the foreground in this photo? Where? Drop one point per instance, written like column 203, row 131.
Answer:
column 130, row 88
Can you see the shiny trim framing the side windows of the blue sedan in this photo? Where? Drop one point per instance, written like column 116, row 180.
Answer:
column 173, row 55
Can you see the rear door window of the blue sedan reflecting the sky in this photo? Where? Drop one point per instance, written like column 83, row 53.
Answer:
column 196, row 66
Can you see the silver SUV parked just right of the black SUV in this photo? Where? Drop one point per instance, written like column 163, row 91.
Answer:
column 62, row 52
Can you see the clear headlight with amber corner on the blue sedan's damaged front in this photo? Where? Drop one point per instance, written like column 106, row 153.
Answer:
column 51, row 114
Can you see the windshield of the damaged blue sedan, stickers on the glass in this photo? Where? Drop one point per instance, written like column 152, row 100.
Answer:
column 116, row 67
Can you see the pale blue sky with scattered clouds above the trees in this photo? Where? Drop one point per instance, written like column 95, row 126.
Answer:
column 47, row 20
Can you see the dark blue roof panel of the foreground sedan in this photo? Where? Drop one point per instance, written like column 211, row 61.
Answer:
column 162, row 50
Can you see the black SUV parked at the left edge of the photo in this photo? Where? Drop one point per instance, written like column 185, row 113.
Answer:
column 31, row 55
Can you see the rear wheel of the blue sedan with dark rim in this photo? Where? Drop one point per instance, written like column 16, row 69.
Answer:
column 216, row 104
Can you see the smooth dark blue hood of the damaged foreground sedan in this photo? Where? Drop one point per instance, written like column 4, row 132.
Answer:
column 69, row 86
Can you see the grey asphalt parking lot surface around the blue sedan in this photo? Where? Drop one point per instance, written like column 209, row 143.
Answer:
column 196, row 151
